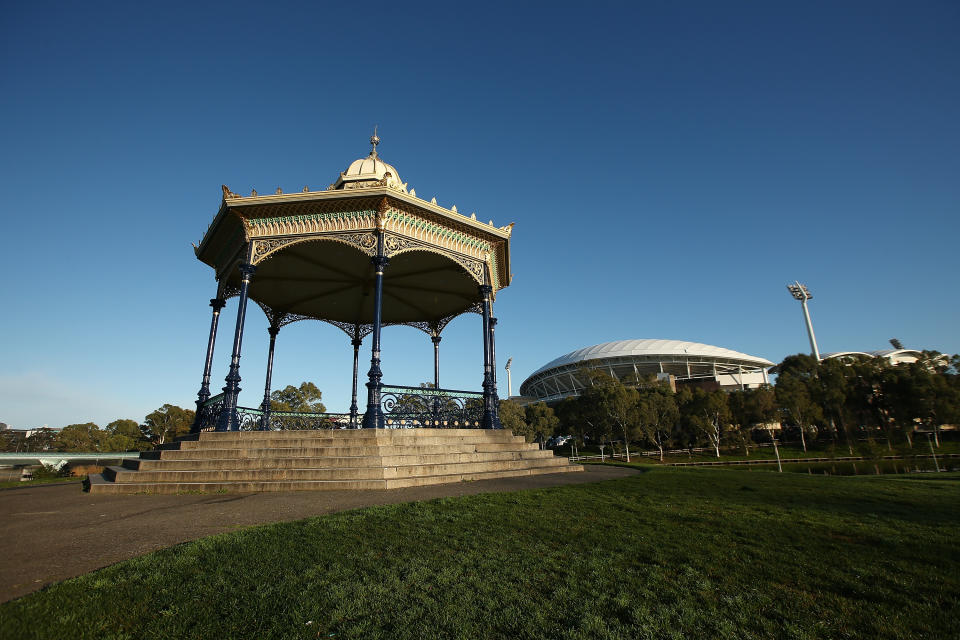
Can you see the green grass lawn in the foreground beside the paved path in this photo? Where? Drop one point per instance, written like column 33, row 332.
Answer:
column 670, row 553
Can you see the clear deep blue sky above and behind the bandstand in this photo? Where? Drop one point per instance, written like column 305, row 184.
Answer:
column 670, row 166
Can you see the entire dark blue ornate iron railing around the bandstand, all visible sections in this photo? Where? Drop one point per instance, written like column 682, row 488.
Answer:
column 403, row 408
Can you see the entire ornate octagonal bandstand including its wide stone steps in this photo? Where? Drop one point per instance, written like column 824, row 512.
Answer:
column 363, row 253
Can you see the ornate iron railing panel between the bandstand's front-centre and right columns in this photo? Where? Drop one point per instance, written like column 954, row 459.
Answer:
column 412, row 407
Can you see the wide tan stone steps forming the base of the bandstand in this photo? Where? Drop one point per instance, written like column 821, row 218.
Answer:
column 253, row 461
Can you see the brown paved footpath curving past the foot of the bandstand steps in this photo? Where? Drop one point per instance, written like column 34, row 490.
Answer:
column 54, row 532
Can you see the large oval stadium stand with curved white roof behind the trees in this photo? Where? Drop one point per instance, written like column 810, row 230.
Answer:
column 689, row 363
